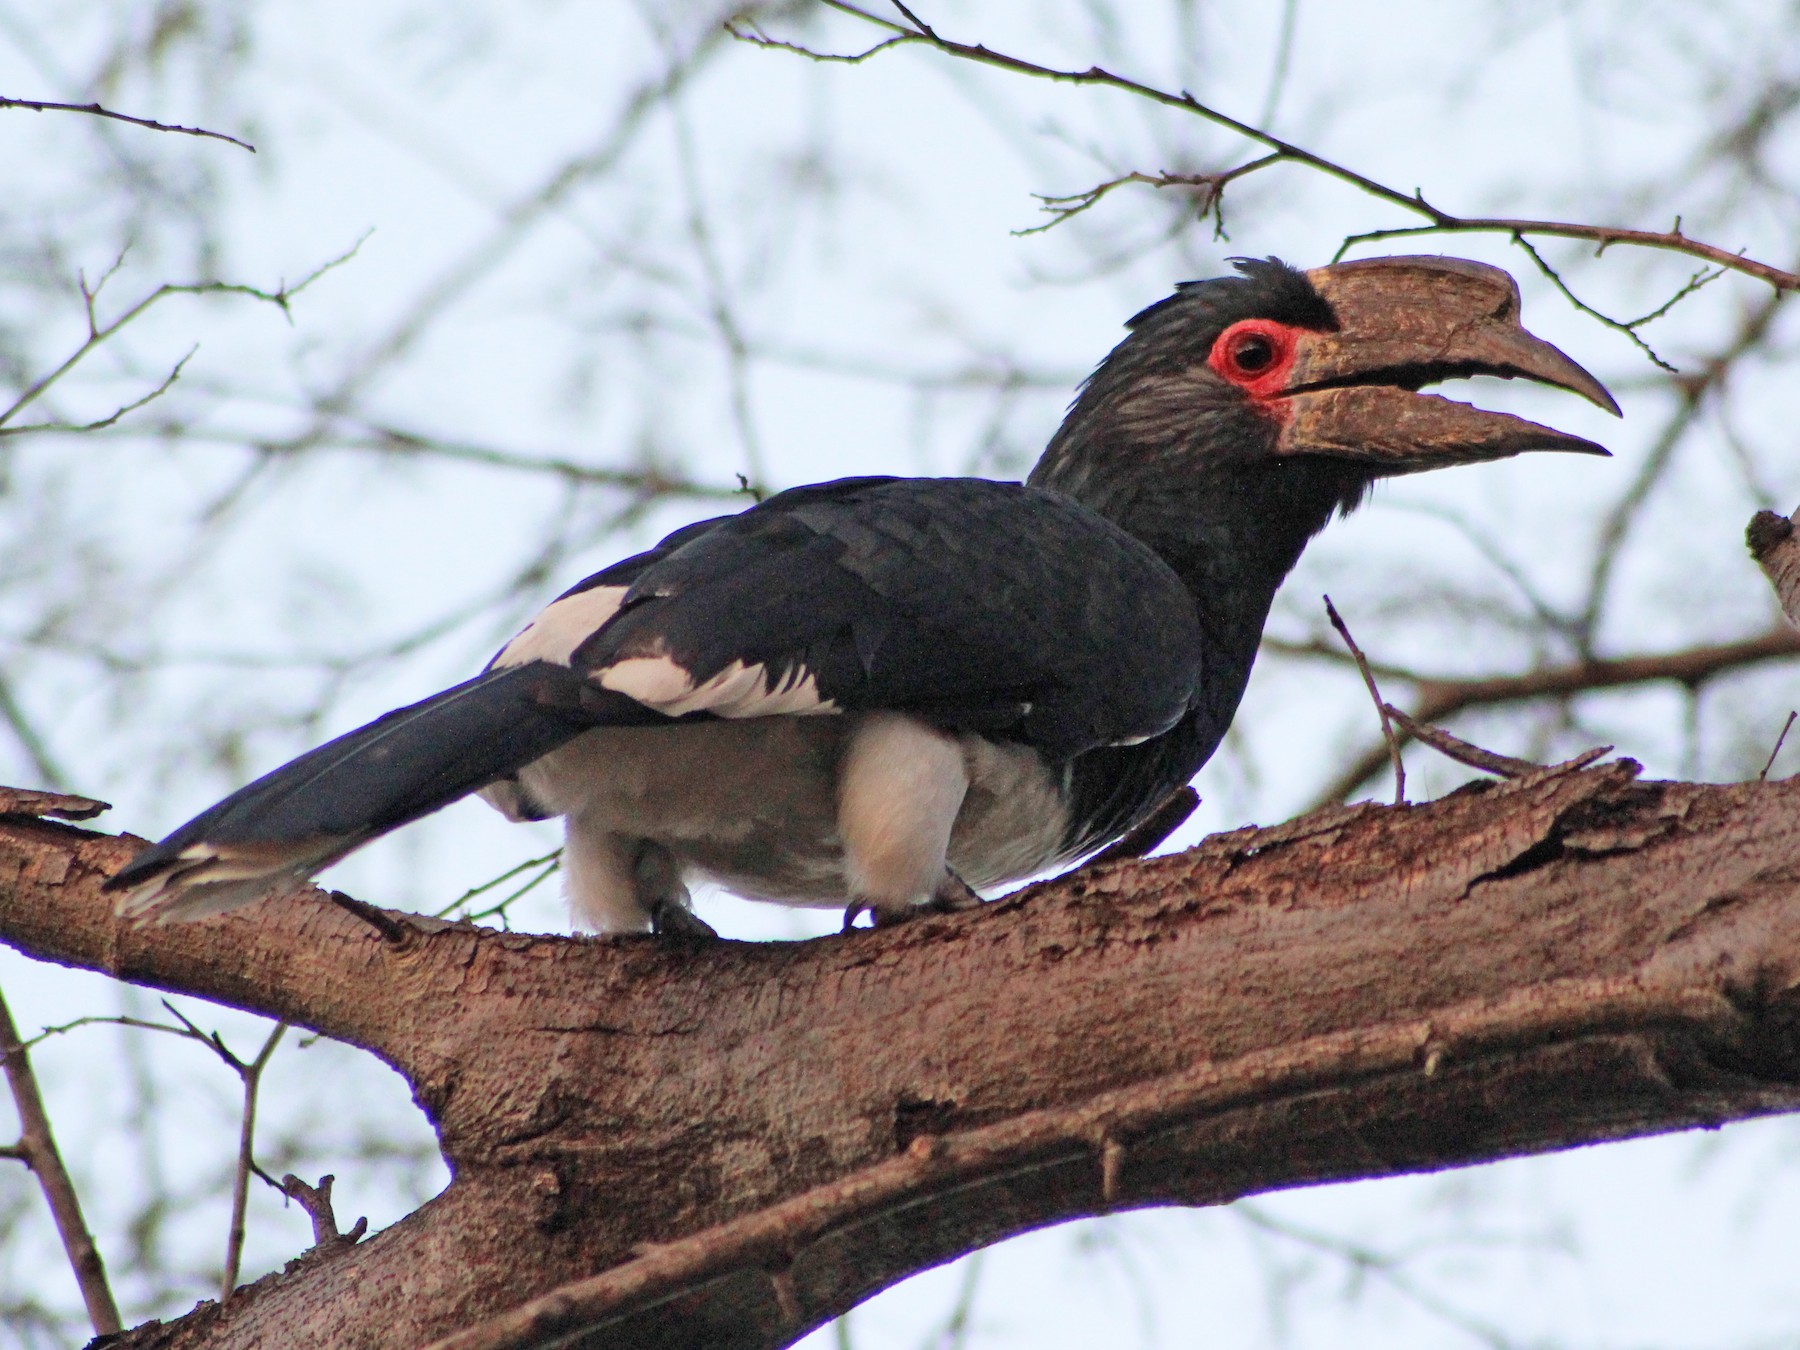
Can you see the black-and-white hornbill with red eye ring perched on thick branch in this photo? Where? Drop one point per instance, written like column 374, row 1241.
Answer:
column 881, row 692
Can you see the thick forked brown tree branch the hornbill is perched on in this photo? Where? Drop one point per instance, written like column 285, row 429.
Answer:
column 661, row 1144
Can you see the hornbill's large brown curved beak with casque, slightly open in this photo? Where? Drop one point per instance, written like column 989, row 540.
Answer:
column 1405, row 323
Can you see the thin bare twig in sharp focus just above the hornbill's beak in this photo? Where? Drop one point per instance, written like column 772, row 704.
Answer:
column 1439, row 220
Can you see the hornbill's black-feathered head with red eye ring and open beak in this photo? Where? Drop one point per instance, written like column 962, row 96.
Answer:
column 1302, row 388
